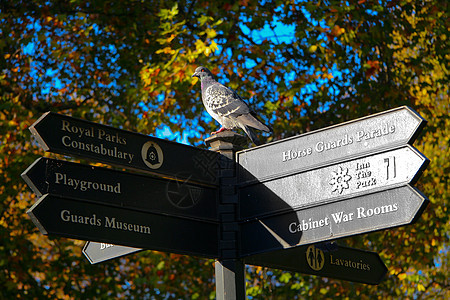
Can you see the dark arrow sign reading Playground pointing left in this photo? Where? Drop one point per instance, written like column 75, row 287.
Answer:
column 122, row 189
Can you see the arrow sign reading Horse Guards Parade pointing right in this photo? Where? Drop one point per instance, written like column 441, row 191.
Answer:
column 345, row 141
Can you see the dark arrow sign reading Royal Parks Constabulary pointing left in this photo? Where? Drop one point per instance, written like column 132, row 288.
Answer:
column 71, row 136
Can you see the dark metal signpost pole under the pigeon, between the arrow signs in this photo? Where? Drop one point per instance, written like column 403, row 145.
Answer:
column 230, row 272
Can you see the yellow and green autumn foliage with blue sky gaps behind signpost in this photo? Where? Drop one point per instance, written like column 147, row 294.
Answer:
column 302, row 65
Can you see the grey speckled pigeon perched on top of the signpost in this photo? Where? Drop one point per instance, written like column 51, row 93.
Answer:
column 226, row 107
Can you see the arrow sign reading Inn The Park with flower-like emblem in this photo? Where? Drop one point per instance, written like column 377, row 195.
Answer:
column 332, row 183
